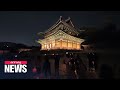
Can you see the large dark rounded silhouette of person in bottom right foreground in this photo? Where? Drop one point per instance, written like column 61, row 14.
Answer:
column 106, row 72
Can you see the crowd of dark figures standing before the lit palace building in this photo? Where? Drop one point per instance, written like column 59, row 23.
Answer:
column 74, row 66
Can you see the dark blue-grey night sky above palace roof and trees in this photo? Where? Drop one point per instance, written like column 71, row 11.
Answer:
column 23, row 26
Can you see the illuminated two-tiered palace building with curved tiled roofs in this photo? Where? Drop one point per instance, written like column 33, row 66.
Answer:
column 62, row 35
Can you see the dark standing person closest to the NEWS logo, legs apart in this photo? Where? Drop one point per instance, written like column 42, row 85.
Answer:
column 46, row 67
